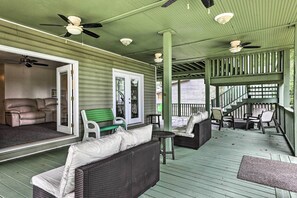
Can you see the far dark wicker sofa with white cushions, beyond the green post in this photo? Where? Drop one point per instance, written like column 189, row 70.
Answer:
column 196, row 133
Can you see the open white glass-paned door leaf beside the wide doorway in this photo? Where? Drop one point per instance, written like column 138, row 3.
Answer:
column 64, row 96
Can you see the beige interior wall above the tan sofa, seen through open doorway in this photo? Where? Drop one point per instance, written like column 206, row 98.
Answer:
column 24, row 82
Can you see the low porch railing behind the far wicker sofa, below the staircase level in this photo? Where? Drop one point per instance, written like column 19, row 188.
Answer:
column 187, row 109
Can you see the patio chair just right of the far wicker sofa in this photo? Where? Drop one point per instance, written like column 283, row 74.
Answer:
column 220, row 118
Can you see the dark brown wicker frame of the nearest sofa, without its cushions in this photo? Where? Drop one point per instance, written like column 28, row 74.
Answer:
column 126, row 174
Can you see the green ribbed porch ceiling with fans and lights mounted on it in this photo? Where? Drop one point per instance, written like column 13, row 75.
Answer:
column 267, row 23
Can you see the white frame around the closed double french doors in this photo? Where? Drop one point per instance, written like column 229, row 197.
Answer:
column 141, row 93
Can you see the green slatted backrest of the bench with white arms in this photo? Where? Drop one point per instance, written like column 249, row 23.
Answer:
column 100, row 115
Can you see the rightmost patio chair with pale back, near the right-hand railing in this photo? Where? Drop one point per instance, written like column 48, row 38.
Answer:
column 266, row 117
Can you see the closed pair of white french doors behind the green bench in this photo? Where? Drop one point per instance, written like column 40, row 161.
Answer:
column 128, row 96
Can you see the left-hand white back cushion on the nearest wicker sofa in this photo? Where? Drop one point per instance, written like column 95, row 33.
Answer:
column 85, row 153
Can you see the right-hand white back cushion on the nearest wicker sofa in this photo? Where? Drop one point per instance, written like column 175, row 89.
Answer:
column 134, row 137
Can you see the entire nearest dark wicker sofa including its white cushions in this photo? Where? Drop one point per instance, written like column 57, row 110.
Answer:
column 124, row 164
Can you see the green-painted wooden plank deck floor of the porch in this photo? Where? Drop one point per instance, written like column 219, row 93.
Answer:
column 209, row 171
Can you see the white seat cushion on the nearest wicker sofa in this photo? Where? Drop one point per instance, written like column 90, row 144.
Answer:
column 49, row 181
